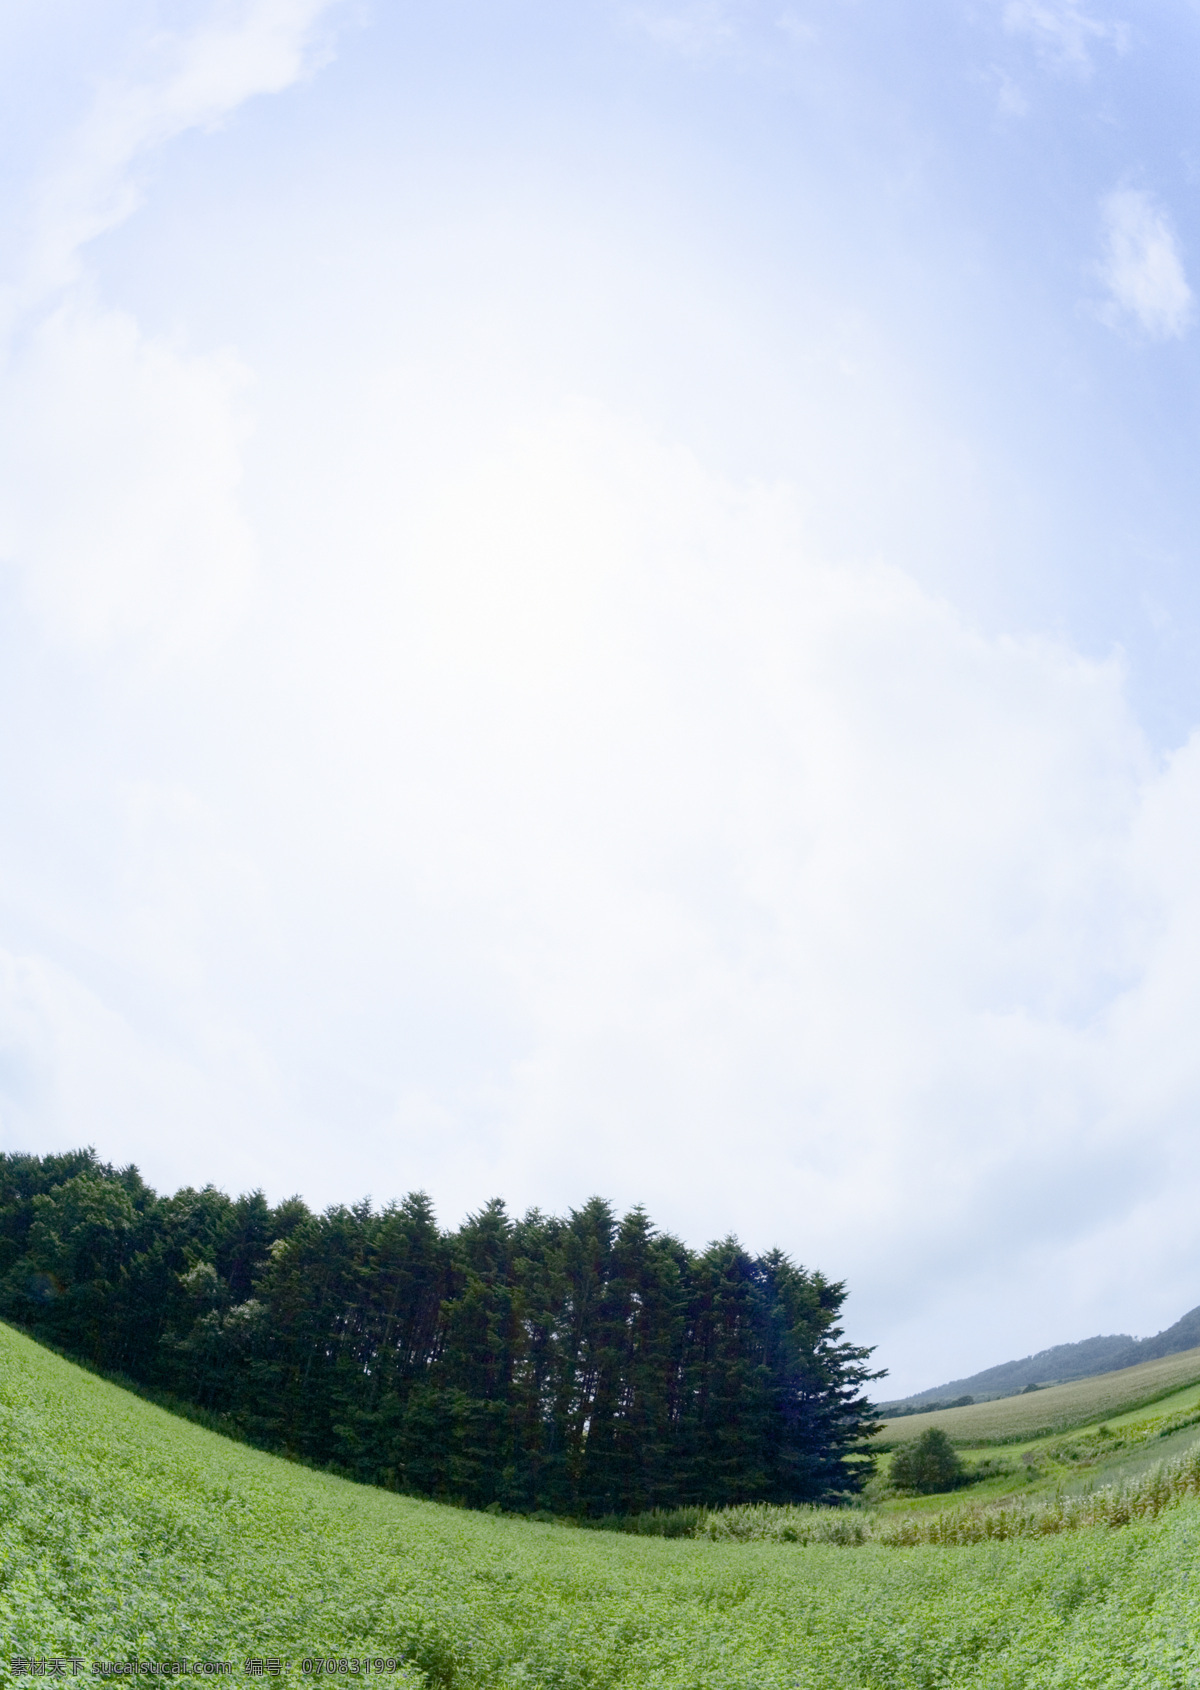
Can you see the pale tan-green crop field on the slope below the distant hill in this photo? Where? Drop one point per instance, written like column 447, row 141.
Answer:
column 1057, row 1409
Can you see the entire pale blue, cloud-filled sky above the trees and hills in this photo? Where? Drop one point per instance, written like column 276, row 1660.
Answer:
column 606, row 599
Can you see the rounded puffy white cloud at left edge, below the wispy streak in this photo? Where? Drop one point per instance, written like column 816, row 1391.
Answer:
column 121, row 479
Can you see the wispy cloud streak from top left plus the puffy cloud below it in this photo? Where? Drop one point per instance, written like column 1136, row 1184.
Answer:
column 119, row 493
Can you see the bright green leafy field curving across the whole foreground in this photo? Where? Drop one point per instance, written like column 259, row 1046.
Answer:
column 126, row 1532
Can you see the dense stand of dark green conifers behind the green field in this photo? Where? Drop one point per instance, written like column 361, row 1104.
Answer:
column 579, row 1366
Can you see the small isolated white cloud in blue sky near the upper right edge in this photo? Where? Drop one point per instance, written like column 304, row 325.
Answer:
column 1143, row 268
